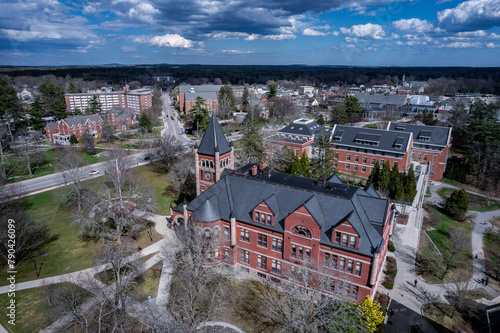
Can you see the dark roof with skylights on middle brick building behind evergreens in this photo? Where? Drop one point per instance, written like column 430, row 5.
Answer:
column 370, row 138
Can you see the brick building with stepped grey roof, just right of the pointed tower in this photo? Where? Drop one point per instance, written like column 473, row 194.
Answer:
column 298, row 137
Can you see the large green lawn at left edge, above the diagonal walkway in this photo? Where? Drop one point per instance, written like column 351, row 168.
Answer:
column 67, row 254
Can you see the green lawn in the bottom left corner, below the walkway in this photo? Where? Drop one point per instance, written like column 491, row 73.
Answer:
column 32, row 311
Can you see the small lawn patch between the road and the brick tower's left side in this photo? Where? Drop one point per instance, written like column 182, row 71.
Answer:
column 165, row 195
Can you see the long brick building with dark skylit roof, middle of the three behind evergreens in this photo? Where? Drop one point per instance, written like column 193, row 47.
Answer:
column 359, row 148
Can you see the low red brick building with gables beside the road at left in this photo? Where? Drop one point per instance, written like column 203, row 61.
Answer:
column 60, row 131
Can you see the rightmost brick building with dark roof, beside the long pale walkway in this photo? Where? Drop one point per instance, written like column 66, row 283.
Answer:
column 431, row 145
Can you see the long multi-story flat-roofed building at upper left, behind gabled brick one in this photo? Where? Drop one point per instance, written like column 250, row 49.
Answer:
column 138, row 100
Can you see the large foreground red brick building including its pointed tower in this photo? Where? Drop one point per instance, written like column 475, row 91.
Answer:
column 277, row 226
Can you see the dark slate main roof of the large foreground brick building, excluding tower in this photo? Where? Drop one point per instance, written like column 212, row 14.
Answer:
column 329, row 204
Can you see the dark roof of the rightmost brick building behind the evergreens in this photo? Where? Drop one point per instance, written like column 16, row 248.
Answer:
column 422, row 134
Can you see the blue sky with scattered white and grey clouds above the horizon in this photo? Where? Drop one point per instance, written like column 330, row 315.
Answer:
column 251, row 32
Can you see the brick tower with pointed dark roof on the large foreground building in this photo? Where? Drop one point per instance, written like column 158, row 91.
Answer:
column 212, row 156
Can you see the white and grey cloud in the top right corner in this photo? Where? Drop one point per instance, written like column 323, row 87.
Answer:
column 471, row 15
